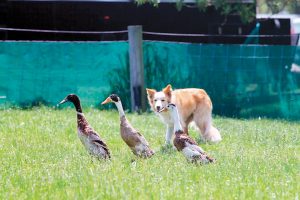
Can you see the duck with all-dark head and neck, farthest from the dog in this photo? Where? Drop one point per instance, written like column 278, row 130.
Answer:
column 87, row 135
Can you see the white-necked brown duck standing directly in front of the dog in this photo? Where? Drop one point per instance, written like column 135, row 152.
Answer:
column 184, row 143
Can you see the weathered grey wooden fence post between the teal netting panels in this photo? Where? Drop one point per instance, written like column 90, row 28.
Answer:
column 136, row 68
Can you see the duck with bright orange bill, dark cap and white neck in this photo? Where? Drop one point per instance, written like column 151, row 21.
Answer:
column 133, row 138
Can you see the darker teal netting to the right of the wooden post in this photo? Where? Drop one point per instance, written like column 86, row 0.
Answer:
column 242, row 80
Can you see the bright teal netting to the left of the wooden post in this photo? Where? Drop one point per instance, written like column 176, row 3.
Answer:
column 45, row 72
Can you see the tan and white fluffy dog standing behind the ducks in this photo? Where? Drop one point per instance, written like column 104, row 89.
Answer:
column 193, row 105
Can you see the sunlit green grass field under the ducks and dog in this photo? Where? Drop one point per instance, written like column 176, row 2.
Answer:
column 42, row 158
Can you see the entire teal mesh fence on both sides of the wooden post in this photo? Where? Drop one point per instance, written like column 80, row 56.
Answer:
column 242, row 80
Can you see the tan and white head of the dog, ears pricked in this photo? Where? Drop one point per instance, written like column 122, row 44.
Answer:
column 159, row 100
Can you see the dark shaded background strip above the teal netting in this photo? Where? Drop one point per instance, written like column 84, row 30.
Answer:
column 115, row 16
